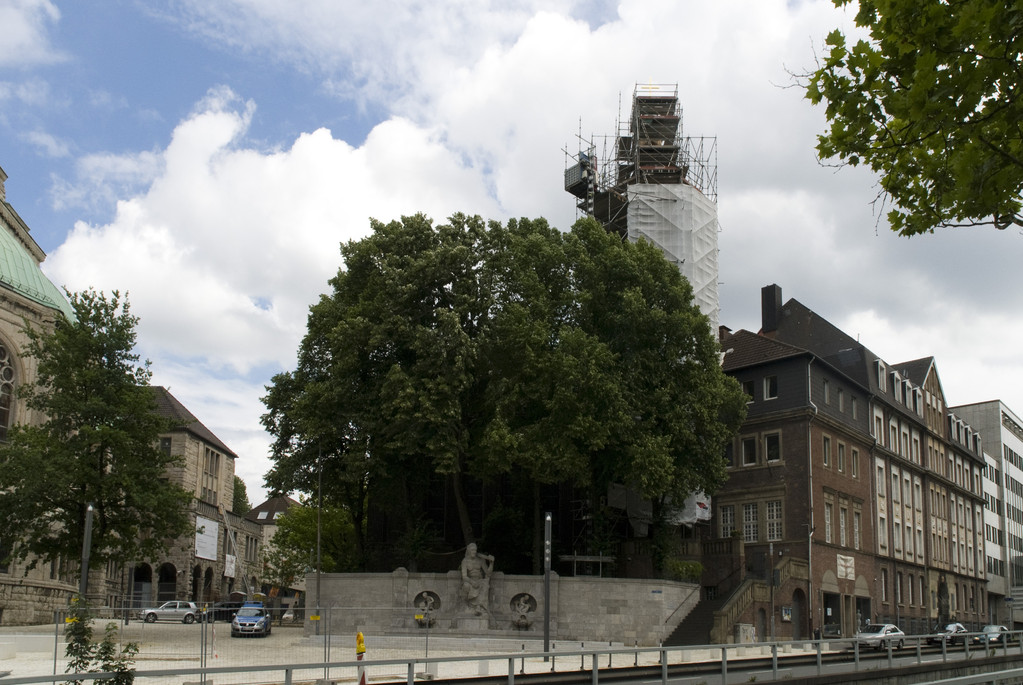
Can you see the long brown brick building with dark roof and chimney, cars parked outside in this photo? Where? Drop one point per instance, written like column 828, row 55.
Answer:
column 852, row 485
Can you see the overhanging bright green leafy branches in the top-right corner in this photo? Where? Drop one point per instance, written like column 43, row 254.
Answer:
column 931, row 104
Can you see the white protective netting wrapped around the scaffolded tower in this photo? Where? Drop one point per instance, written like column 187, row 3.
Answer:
column 683, row 222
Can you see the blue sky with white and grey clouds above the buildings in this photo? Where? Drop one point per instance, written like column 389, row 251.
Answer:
column 210, row 157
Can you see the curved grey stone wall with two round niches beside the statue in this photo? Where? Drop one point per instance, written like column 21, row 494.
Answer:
column 585, row 610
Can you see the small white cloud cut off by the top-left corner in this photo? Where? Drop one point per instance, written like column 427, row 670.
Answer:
column 26, row 24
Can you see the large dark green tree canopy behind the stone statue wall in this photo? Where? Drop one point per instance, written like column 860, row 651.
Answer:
column 482, row 350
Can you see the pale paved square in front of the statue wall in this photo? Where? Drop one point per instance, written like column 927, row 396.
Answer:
column 167, row 646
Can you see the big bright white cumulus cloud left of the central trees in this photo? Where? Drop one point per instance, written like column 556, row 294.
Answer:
column 228, row 247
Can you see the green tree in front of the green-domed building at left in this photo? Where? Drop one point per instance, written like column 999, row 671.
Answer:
column 98, row 445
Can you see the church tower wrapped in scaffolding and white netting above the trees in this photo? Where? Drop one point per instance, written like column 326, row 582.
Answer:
column 651, row 182
